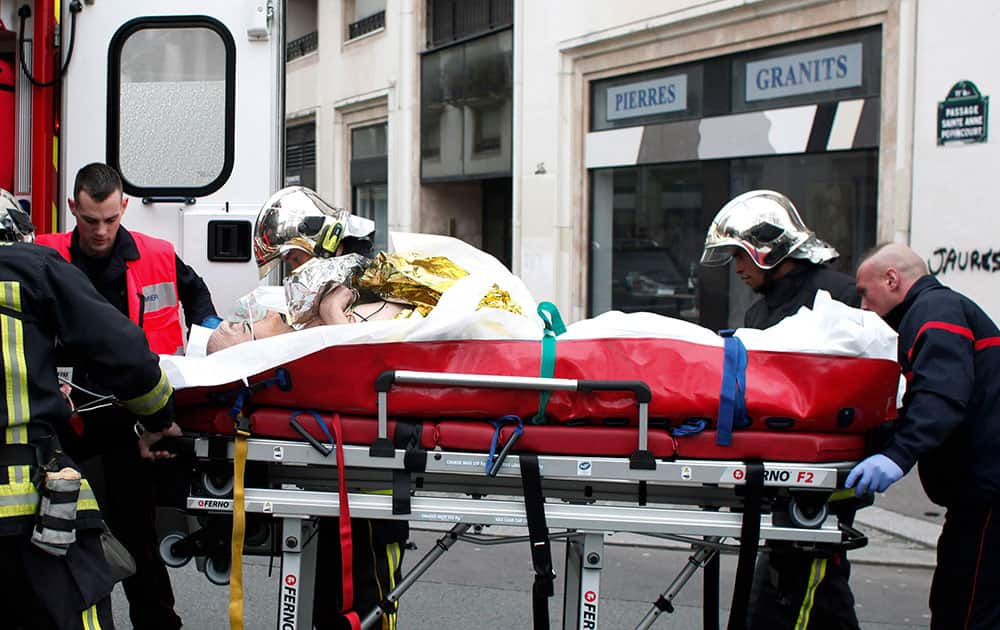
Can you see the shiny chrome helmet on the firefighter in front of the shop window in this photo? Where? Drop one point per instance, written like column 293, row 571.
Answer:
column 765, row 225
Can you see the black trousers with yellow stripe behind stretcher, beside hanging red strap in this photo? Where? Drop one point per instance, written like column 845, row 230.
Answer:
column 377, row 546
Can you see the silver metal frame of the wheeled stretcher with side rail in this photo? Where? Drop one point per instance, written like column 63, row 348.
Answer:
column 681, row 499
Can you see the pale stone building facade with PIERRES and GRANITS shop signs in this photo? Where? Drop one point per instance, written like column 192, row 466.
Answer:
column 589, row 144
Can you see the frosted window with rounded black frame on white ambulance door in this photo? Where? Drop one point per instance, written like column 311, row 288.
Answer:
column 171, row 95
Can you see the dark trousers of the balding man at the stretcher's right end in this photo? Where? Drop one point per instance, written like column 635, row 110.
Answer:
column 965, row 591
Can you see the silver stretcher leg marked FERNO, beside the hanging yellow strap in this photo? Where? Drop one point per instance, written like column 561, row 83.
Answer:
column 298, row 571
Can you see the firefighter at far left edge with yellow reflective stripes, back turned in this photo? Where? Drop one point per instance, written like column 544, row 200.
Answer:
column 54, row 573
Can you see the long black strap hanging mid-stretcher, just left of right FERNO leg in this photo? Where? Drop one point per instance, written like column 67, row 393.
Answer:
column 538, row 533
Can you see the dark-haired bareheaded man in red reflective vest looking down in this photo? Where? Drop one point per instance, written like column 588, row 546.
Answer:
column 144, row 279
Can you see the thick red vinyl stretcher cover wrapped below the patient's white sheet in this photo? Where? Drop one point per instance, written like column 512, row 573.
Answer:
column 808, row 393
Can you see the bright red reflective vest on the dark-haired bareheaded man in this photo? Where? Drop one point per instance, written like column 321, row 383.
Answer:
column 151, row 286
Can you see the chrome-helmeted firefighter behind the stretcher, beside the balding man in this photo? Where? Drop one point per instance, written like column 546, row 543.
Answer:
column 776, row 255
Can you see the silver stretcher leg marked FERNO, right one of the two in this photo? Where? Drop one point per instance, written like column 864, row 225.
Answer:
column 582, row 584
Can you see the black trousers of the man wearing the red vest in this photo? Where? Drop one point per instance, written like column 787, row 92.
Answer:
column 128, row 504
